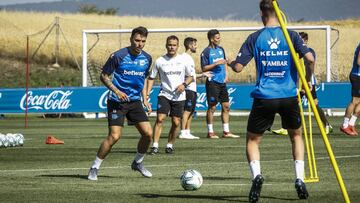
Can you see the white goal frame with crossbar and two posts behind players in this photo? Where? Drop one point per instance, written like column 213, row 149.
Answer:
column 85, row 72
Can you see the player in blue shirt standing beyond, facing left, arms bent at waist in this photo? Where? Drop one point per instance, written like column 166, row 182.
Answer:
column 213, row 60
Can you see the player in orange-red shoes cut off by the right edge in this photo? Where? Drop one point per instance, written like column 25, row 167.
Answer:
column 352, row 111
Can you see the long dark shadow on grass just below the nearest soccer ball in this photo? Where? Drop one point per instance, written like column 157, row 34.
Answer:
column 229, row 198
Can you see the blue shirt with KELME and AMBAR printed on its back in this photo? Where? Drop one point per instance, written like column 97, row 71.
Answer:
column 276, row 72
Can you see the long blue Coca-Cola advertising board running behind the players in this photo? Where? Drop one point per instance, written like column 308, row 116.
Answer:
column 94, row 99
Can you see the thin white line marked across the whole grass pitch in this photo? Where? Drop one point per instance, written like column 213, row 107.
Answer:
column 164, row 165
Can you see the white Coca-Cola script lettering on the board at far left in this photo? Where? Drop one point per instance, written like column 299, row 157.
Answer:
column 56, row 100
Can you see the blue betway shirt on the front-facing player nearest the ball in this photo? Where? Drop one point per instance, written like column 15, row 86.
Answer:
column 129, row 72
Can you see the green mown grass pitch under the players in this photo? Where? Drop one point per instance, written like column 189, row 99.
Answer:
column 38, row 172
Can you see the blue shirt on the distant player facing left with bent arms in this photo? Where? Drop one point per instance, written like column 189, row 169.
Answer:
column 211, row 55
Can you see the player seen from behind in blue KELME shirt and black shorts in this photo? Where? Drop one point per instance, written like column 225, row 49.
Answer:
column 275, row 92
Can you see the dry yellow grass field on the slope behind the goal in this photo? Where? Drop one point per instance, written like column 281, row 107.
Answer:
column 14, row 26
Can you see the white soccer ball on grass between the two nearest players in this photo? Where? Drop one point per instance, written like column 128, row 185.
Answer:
column 191, row 180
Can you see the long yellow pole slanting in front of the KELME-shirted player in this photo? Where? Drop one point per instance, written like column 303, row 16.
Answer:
column 311, row 100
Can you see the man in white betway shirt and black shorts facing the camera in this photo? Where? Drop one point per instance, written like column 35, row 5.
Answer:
column 175, row 75
